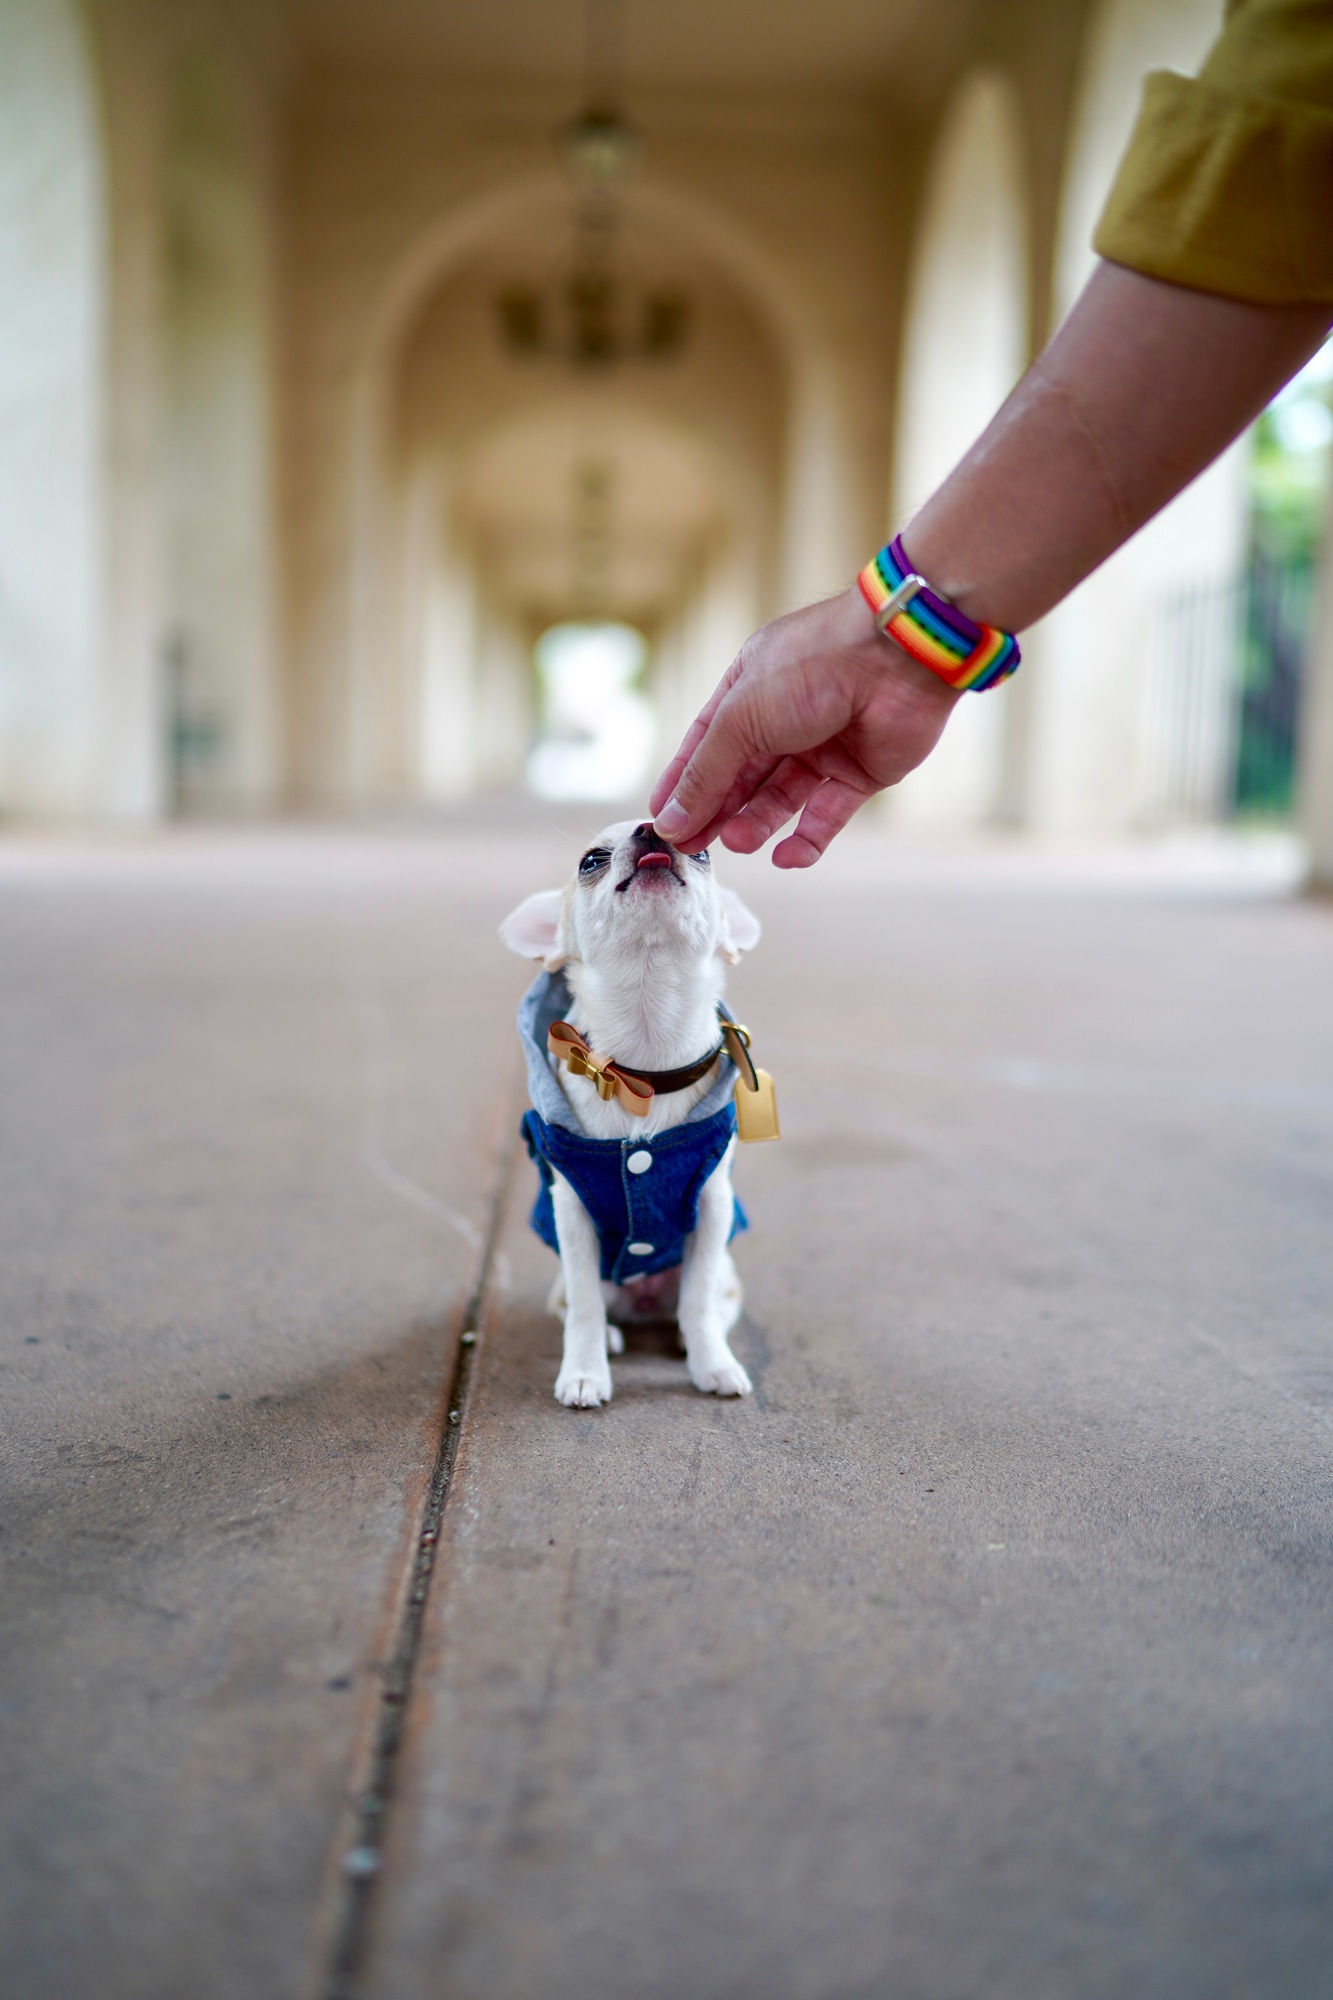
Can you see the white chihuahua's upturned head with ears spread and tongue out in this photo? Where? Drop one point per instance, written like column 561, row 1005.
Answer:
column 631, row 895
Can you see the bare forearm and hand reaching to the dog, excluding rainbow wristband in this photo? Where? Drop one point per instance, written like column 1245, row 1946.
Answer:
column 1144, row 385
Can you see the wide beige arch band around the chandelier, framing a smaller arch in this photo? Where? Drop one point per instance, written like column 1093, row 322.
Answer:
column 754, row 395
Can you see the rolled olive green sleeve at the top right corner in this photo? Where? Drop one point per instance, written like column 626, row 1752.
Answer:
column 1228, row 185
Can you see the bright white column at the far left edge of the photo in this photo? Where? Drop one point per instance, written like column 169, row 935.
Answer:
column 53, row 333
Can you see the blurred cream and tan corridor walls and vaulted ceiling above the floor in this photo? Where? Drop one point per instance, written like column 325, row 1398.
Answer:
column 315, row 477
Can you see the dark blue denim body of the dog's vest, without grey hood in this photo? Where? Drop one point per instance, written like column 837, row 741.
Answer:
column 657, row 1207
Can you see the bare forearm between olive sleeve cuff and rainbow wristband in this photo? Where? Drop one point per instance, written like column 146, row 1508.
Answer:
column 1140, row 391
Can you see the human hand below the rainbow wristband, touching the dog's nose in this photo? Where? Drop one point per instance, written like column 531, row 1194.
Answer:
column 816, row 715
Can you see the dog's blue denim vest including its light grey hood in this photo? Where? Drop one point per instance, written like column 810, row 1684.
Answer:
column 641, row 1193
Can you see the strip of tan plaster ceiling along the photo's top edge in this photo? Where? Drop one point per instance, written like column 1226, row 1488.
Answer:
column 798, row 45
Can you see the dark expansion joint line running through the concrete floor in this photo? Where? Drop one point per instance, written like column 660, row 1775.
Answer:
column 363, row 1853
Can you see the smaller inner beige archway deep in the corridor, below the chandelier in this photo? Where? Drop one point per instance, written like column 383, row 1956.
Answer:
column 583, row 507
